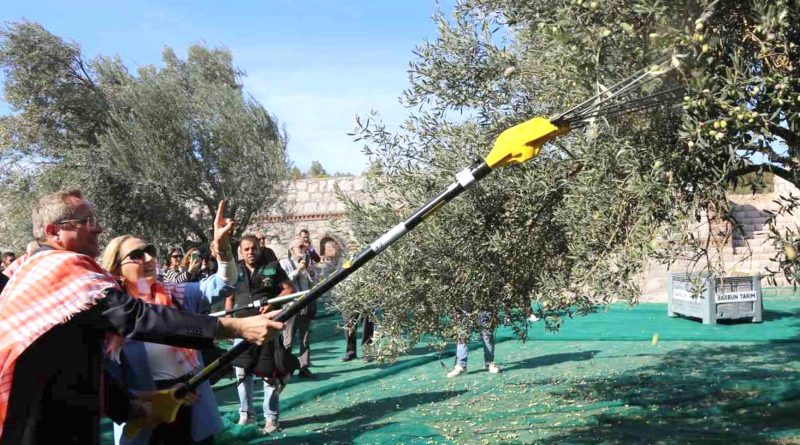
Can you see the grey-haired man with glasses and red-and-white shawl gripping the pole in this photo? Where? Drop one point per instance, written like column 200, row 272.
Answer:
column 57, row 309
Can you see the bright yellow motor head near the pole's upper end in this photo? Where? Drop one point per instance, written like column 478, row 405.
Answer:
column 522, row 142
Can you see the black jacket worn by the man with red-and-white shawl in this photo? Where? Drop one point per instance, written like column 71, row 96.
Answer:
column 55, row 394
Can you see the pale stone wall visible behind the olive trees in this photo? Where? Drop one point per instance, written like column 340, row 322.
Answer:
column 312, row 204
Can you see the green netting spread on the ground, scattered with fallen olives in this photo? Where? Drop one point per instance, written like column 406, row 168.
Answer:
column 599, row 380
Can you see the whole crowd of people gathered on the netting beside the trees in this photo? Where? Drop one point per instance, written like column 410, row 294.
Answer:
column 85, row 334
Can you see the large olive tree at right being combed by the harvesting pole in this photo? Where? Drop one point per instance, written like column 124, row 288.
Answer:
column 569, row 231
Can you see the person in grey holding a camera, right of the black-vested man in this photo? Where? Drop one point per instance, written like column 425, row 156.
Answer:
column 299, row 269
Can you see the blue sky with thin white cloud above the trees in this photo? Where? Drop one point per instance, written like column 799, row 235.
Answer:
column 315, row 64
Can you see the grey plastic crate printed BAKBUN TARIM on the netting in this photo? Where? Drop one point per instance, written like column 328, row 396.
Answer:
column 726, row 298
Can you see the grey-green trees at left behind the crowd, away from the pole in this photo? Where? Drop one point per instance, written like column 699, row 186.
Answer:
column 154, row 149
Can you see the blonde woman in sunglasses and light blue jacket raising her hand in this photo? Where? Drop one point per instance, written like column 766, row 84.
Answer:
column 147, row 366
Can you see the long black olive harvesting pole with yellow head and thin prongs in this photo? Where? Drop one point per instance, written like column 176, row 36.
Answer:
column 515, row 145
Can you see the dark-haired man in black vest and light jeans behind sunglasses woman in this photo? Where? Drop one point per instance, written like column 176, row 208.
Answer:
column 260, row 276
